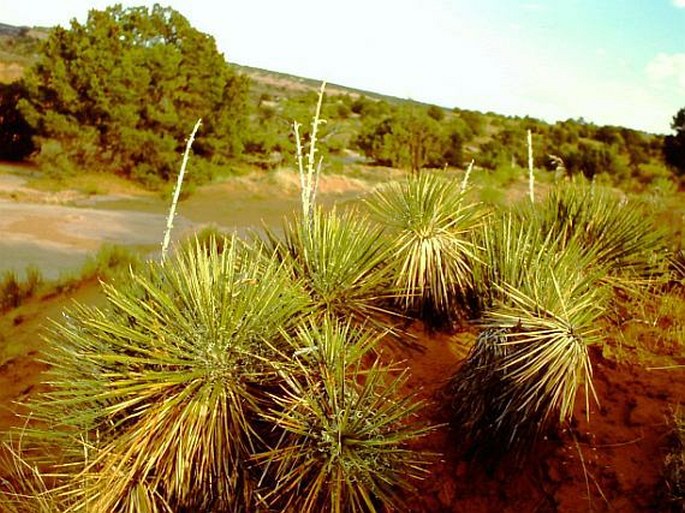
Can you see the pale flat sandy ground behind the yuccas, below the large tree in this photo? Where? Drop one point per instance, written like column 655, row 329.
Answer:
column 56, row 231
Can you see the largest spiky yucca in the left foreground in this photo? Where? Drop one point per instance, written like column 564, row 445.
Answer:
column 153, row 399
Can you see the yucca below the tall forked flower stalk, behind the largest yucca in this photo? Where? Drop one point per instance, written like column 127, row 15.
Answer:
column 339, row 257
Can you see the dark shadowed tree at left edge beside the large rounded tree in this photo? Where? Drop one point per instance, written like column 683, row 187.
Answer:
column 15, row 133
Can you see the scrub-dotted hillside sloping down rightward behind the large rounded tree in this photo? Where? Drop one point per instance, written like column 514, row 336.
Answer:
column 358, row 123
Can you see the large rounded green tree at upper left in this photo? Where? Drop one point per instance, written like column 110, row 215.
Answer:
column 121, row 91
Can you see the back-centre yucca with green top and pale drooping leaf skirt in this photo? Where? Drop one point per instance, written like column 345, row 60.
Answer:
column 430, row 226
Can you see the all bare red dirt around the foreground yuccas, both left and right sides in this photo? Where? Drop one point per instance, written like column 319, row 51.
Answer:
column 611, row 464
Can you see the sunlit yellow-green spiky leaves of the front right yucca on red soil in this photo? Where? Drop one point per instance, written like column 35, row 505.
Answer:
column 548, row 329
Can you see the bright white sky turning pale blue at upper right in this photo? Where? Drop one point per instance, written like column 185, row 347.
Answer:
column 609, row 61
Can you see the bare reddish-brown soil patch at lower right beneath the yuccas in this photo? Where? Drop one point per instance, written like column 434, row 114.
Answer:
column 613, row 463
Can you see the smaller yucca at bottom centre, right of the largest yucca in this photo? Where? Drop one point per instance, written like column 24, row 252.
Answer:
column 344, row 427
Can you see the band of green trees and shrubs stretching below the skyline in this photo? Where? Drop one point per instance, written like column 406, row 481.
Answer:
column 362, row 126
